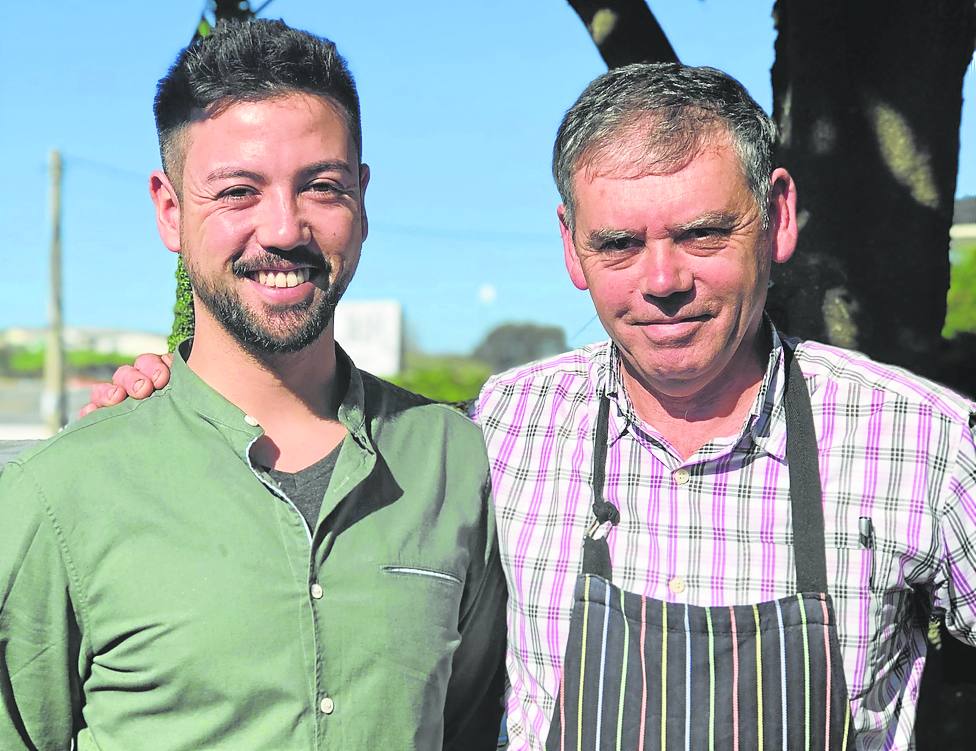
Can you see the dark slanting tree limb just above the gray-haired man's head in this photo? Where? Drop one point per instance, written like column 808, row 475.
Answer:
column 624, row 31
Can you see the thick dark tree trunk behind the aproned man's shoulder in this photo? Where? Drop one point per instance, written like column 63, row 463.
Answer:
column 867, row 96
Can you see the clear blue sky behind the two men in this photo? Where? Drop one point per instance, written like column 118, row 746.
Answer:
column 460, row 104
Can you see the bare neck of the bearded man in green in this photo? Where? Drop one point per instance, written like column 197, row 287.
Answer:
column 293, row 396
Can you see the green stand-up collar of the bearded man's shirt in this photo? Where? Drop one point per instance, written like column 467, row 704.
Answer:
column 188, row 388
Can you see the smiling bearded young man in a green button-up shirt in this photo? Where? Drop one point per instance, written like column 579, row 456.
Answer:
column 279, row 551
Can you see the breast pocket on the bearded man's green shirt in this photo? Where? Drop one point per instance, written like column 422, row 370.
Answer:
column 416, row 623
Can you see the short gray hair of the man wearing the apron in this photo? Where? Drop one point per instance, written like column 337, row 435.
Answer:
column 658, row 116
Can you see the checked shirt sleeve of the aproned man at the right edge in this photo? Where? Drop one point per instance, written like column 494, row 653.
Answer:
column 956, row 588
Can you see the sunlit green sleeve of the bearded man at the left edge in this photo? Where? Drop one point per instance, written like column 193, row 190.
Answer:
column 40, row 642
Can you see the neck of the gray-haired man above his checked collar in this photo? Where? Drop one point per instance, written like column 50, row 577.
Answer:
column 718, row 408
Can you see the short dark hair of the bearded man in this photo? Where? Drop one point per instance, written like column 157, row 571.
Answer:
column 246, row 62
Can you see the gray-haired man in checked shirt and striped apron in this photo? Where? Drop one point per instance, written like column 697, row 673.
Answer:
column 714, row 536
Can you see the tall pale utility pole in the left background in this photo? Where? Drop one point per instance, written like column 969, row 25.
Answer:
column 53, row 401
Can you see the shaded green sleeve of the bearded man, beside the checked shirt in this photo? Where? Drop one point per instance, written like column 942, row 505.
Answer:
column 473, row 710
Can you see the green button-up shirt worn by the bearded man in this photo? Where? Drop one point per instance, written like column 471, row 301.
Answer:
column 157, row 591
